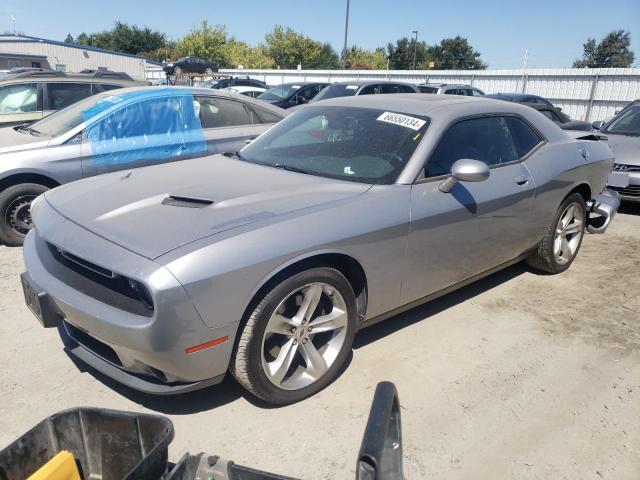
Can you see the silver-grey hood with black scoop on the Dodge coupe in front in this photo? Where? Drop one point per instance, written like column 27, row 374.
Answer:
column 154, row 210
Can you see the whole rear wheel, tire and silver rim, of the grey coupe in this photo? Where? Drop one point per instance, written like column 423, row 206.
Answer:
column 563, row 237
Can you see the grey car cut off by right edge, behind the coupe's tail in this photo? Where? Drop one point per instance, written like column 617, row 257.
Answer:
column 623, row 135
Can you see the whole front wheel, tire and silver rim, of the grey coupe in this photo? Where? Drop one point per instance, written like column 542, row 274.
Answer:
column 297, row 338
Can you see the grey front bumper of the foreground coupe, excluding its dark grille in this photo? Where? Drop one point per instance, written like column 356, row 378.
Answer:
column 144, row 352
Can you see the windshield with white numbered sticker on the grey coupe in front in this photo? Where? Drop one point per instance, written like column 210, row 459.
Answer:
column 353, row 144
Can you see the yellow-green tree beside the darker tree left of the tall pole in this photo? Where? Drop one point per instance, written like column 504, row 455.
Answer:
column 289, row 48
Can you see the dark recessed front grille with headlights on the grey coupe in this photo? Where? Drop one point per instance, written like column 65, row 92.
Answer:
column 95, row 281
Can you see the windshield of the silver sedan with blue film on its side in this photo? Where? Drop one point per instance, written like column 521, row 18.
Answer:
column 64, row 120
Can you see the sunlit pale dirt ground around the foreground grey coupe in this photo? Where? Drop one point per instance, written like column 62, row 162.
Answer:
column 518, row 376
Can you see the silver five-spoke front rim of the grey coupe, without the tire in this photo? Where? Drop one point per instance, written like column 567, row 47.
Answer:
column 304, row 336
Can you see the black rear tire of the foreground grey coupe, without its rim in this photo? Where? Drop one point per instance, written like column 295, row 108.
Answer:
column 544, row 258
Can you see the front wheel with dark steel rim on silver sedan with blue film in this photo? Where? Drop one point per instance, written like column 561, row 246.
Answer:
column 15, row 221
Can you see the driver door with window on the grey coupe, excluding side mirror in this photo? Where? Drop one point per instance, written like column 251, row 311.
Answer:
column 477, row 226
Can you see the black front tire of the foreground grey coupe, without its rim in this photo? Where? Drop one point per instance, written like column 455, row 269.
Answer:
column 246, row 363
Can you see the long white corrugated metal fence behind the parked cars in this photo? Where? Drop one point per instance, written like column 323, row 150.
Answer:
column 585, row 94
